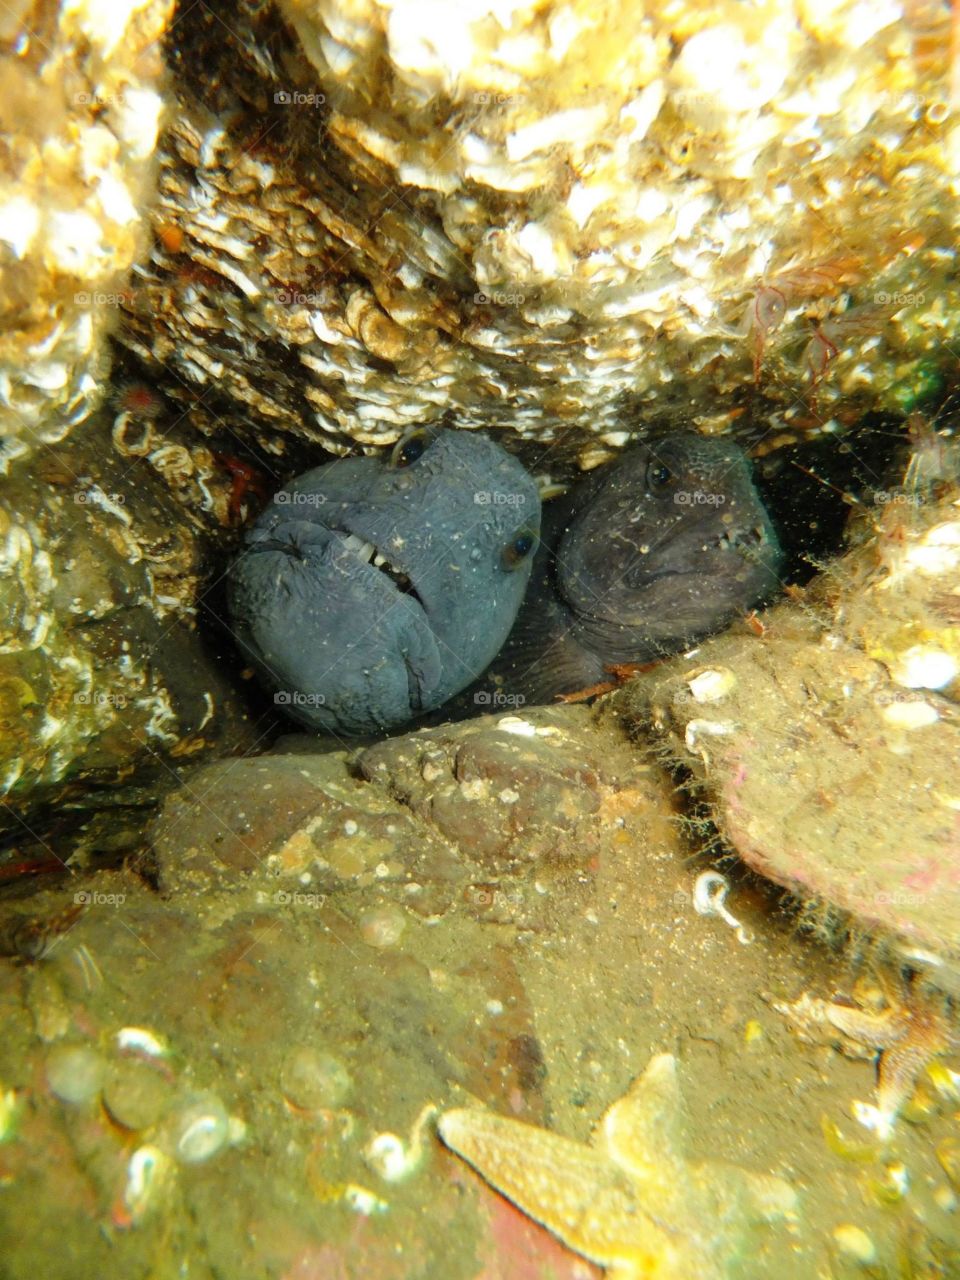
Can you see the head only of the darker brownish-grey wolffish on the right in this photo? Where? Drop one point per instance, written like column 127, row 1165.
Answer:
column 669, row 543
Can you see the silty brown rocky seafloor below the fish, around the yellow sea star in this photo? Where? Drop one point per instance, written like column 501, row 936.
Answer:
column 534, row 971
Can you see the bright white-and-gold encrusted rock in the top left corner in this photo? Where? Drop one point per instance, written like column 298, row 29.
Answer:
column 81, row 106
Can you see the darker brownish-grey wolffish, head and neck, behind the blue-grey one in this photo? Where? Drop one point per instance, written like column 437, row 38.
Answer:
column 668, row 545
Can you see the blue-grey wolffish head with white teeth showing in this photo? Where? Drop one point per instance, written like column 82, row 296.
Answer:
column 374, row 589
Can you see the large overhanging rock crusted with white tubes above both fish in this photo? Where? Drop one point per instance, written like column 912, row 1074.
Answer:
column 555, row 218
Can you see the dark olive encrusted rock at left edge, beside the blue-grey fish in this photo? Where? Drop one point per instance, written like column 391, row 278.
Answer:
column 103, row 665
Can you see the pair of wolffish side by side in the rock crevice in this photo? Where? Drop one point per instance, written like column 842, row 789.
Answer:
column 373, row 591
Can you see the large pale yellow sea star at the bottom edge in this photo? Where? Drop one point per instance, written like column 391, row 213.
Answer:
column 630, row 1201
